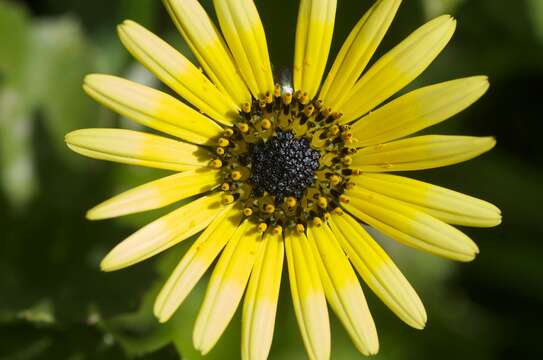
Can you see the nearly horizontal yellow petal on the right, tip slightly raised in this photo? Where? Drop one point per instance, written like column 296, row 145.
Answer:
column 421, row 152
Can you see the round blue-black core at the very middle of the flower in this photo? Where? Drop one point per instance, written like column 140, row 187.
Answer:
column 283, row 166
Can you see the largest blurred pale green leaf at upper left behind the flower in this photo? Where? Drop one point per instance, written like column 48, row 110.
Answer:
column 61, row 57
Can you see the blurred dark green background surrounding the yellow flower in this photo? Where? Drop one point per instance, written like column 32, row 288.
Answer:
column 56, row 304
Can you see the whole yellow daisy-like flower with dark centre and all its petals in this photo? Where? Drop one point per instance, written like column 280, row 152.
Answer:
column 275, row 170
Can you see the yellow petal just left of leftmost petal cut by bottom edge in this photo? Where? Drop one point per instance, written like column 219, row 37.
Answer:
column 226, row 286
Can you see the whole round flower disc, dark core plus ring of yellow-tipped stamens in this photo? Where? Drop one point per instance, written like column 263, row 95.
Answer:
column 287, row 160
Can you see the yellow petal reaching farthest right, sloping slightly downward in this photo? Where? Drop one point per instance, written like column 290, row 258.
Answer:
column 449, row 206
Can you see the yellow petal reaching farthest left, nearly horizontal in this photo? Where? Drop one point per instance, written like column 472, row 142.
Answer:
column 137, row 148
